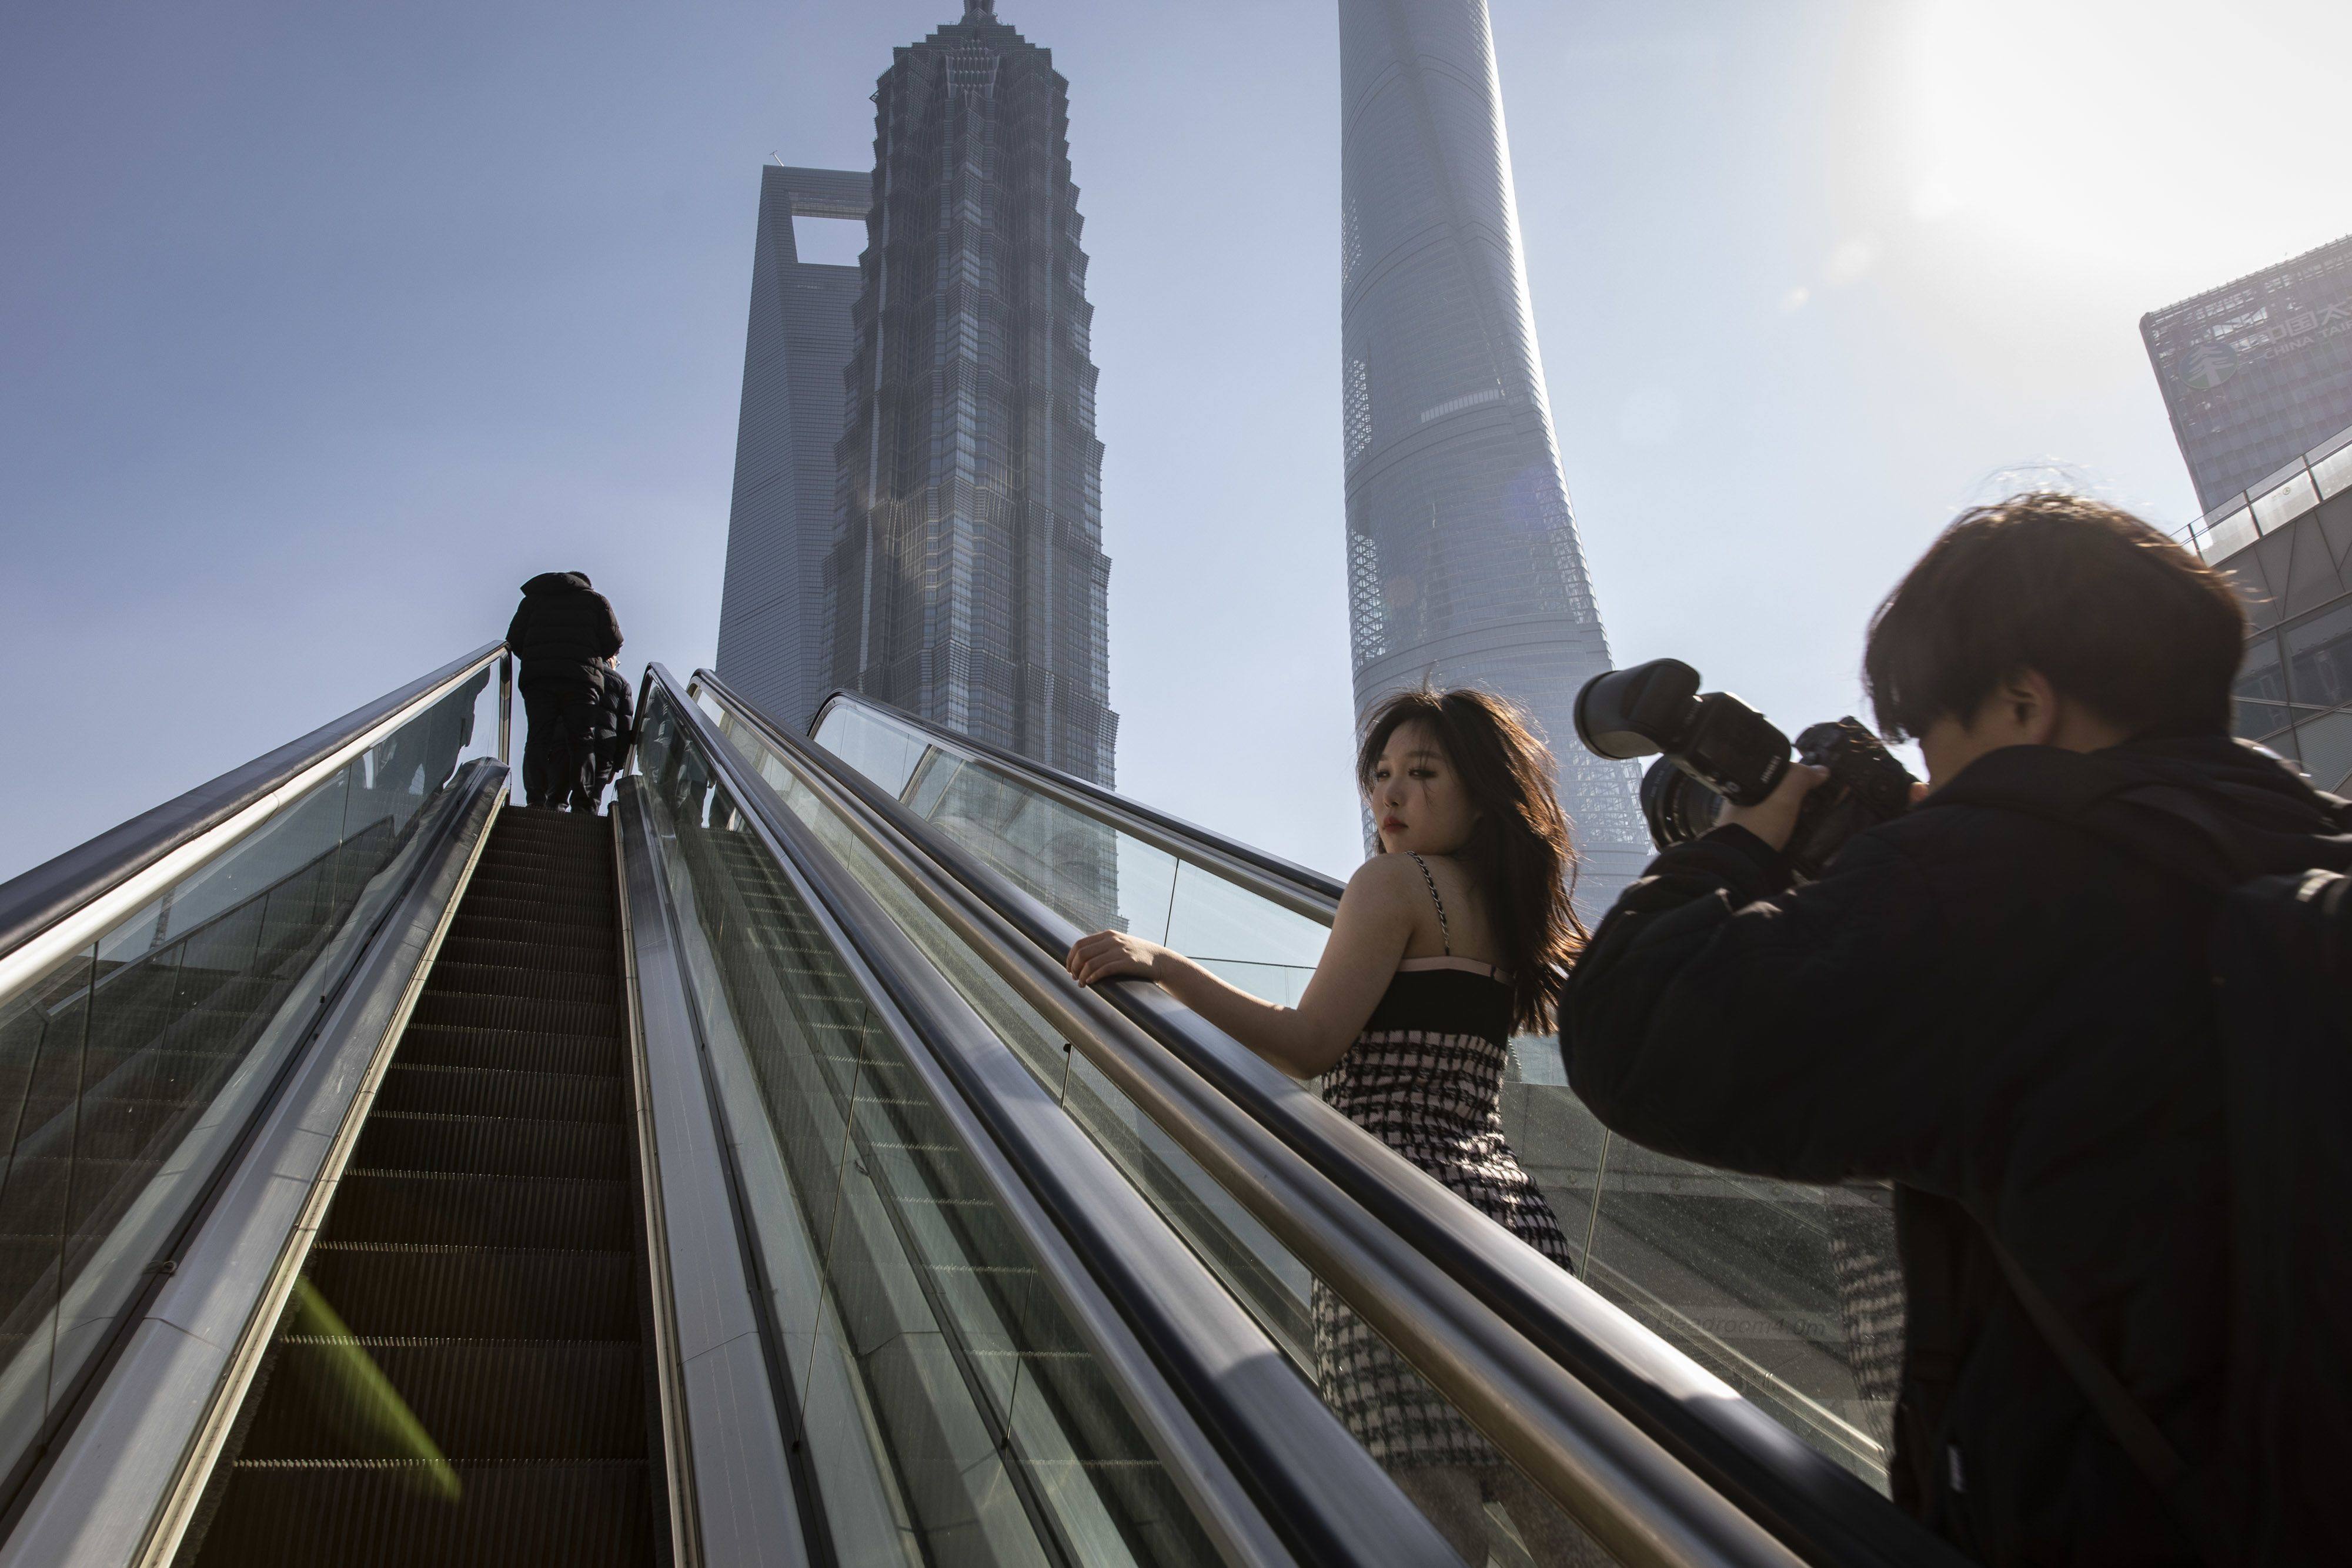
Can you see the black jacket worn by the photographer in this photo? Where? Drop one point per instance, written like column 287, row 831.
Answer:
column 2010, row 1017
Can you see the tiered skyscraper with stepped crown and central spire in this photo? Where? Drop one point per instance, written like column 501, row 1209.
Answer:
column 968, row 582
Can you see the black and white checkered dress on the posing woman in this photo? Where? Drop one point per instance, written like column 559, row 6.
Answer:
column 1426, row 1078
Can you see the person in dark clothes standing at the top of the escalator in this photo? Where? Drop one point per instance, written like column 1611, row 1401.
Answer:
column 561, row 634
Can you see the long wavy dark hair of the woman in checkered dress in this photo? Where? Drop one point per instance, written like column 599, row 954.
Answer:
column 1521, row 852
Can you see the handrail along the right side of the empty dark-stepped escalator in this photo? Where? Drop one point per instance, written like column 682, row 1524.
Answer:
column 1295, row 1470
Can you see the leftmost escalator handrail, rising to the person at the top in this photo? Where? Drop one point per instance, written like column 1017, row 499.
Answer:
column 46, row 902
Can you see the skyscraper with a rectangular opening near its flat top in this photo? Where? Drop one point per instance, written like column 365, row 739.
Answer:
column 780, row 528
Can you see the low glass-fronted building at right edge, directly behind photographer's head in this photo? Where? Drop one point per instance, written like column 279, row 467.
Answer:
column 2290, row 551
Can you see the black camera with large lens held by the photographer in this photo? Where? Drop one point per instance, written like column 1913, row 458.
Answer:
column 1718, row 749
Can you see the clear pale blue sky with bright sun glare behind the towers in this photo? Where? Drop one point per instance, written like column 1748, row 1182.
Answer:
column 328, row 326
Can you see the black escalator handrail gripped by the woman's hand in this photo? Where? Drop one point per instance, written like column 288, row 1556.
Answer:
column 1808, row 1501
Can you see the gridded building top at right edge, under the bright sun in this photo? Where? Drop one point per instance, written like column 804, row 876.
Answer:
column 2257, row 373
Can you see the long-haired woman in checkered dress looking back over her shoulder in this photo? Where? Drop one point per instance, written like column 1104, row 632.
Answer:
column 1448, row 942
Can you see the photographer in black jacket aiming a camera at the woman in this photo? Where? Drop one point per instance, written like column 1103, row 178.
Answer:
column 2003, row 1005
